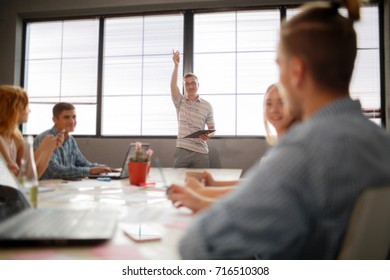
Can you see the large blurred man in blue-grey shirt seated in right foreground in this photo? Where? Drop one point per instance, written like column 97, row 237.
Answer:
column 296, row 204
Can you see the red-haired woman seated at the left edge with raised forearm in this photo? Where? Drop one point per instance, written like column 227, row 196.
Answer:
column 14, row 111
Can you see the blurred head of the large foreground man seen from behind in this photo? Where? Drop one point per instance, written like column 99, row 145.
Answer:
column 318, row 45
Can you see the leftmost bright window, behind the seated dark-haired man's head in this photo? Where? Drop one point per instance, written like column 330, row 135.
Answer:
column 61, row 66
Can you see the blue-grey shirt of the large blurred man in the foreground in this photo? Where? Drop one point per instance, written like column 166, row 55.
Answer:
column 296, row 204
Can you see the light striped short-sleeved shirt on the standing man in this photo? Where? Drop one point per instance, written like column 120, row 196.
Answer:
column 192, row 116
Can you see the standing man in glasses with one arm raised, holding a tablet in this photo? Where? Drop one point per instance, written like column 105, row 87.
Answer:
column 193, row 113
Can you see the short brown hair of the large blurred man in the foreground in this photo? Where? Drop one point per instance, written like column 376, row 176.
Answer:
column 325, row 41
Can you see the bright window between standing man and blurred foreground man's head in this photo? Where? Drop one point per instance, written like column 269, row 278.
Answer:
column 234, row 59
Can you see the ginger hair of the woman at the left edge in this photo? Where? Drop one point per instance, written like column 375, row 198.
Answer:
column 13, row 103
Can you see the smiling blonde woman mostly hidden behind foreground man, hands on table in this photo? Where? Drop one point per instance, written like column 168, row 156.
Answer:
column 199, row 195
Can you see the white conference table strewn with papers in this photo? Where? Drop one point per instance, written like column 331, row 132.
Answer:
column 143, row 208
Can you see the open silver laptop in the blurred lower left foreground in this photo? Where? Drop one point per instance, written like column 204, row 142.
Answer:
column 22, row 225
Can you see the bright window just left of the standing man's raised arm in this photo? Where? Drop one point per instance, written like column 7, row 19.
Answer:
column 136, row 75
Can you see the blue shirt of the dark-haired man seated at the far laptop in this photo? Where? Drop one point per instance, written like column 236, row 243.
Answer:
column 66, row 161
